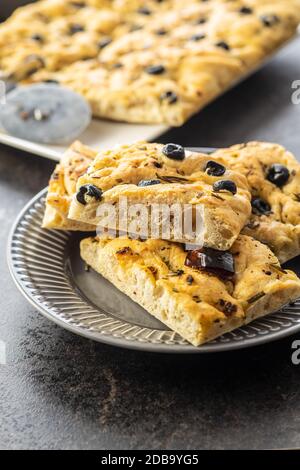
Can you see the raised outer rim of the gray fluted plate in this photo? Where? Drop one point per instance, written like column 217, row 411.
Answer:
column 123, row 342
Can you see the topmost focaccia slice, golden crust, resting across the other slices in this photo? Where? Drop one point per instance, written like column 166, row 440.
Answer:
column 118, row 173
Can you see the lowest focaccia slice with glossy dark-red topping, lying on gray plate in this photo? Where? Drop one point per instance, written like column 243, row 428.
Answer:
column 200, row 303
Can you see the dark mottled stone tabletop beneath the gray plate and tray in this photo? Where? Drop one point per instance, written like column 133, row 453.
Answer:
column 61, row 391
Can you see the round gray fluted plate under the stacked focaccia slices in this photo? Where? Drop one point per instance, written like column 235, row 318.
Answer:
column 47, row 269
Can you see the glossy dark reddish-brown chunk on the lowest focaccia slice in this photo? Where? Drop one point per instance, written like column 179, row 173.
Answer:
column 220, row 263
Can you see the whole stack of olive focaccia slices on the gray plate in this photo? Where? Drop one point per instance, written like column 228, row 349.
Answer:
column 223, row 274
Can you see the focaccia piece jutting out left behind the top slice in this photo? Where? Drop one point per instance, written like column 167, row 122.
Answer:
column 62, row 186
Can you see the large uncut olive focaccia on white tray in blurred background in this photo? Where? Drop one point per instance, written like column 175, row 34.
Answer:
column 145, row 61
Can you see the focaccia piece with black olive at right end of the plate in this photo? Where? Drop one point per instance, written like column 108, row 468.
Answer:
column 273, row 175
